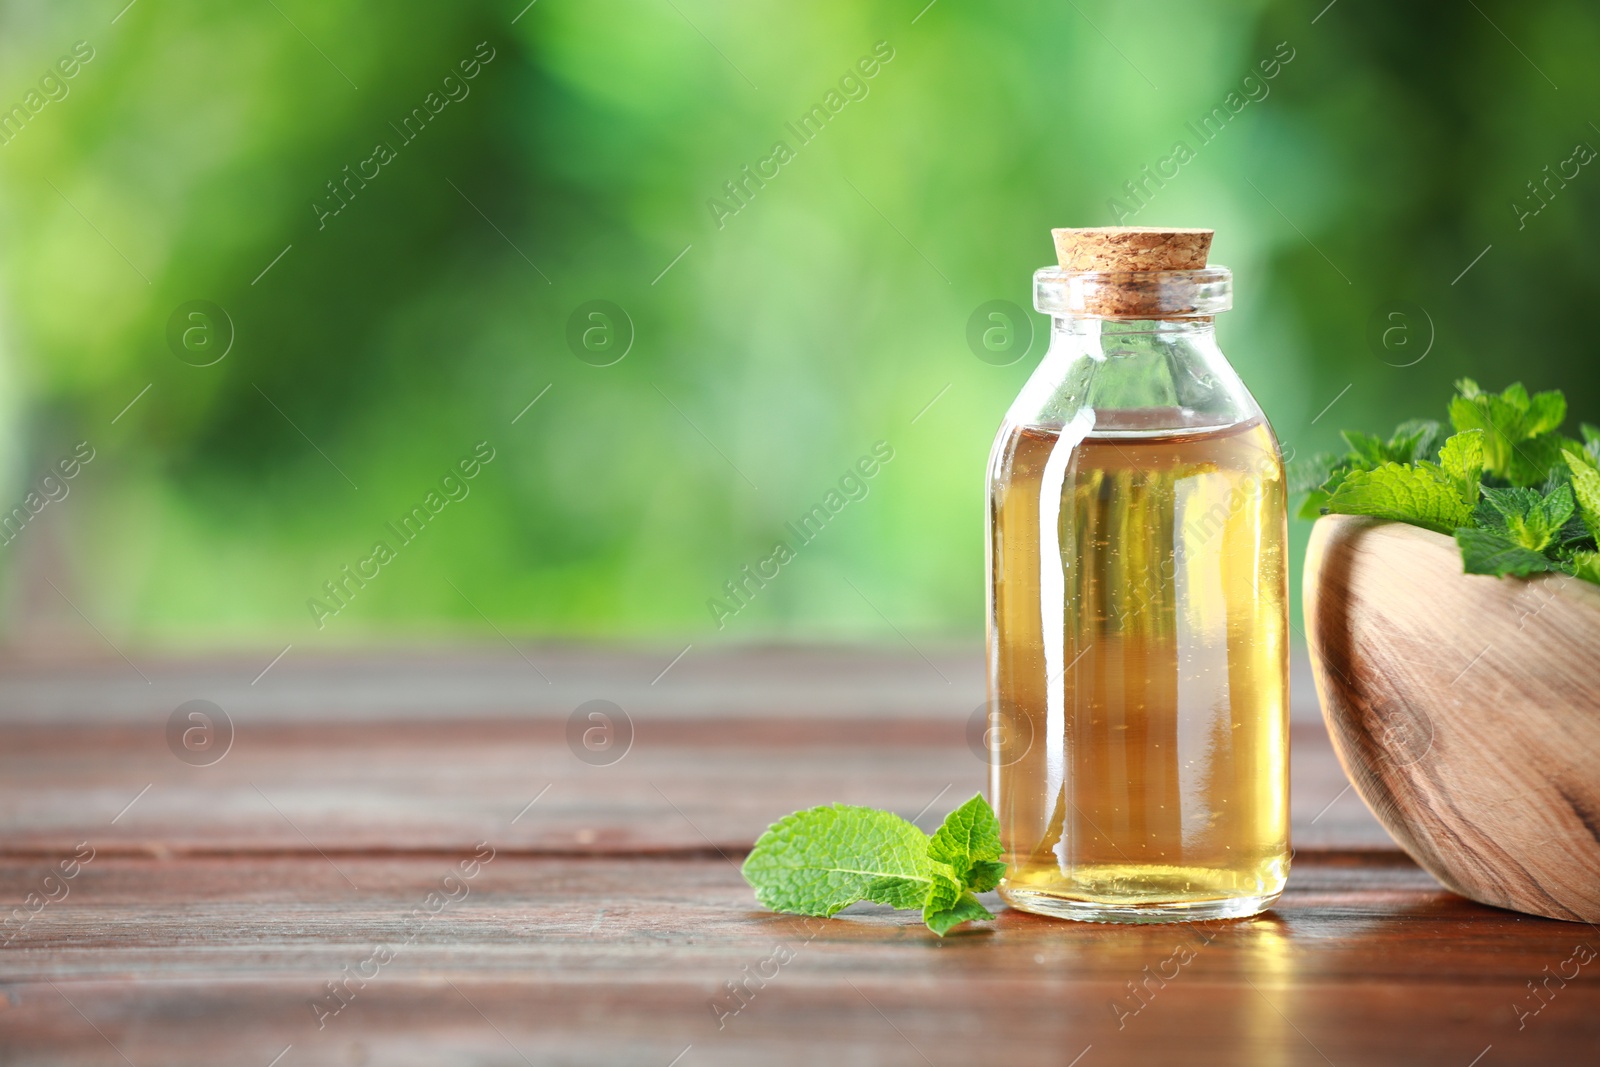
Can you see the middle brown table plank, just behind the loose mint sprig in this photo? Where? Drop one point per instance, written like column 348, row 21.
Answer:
column 406, row 786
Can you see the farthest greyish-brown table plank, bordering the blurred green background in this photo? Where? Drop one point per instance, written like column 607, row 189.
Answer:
column 510, row 682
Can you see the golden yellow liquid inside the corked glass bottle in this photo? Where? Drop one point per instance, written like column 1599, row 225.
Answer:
column 1140, row 673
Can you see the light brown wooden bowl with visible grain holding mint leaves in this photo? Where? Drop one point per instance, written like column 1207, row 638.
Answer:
column 1466, row 711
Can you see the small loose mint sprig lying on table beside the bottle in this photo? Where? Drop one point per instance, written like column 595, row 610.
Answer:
column 823, row 860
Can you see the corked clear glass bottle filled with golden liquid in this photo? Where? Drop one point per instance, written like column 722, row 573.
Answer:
column 1138, row 601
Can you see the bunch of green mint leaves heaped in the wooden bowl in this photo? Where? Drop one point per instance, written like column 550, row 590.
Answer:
column 1518, row 495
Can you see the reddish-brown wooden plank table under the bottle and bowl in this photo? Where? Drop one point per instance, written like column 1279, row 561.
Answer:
column 415, row 833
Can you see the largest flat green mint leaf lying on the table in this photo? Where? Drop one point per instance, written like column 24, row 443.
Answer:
column 823, row 860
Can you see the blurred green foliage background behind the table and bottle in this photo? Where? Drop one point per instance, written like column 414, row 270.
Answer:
column 772, row 346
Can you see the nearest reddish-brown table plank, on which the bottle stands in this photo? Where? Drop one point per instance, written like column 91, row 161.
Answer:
column 564, row 961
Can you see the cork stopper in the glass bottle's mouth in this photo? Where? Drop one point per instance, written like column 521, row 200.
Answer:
column 1127, row 273
